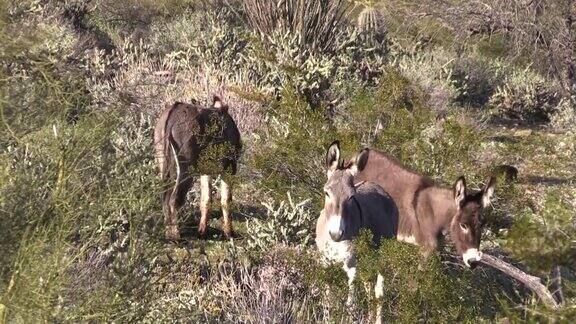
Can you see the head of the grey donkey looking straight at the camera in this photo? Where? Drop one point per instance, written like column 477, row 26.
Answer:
column 340, row 207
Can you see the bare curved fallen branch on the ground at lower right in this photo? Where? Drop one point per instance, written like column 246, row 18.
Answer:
column 532, row 282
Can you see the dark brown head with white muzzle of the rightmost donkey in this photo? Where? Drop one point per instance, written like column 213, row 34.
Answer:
column 466, row 225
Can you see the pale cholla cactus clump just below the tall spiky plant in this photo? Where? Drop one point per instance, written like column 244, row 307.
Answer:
column 280, row 62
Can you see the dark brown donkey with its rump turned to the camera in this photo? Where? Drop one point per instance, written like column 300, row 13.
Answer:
column 190, row 139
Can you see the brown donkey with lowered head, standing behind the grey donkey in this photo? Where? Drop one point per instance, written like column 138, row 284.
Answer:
column 427, row 210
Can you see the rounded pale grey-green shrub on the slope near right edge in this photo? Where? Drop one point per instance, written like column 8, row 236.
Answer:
column 526, row 95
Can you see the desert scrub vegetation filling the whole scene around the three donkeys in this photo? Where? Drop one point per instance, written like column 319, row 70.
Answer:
column 449, row 88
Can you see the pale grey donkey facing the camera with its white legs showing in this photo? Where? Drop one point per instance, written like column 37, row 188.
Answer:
column 348, row 208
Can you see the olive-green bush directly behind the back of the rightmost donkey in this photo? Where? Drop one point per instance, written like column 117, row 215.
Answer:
column 396, row 119
